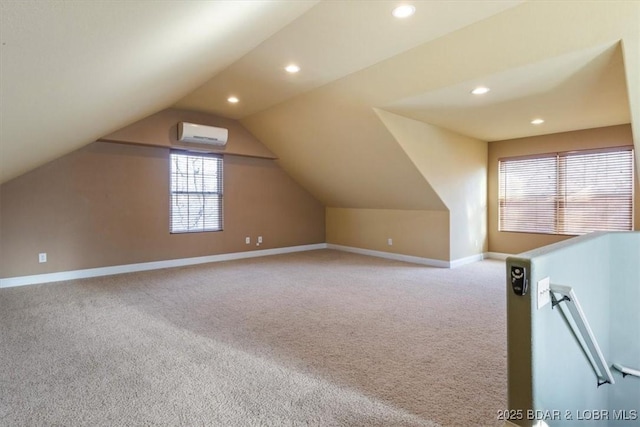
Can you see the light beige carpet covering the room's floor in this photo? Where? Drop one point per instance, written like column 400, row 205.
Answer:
column 322, row 338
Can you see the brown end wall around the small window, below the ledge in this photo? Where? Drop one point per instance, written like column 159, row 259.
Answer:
column 108, row 204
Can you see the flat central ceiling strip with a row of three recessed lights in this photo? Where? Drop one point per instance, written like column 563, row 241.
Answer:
column 330, row 41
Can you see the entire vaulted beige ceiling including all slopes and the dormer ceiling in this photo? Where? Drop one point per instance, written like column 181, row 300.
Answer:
column 75, row 71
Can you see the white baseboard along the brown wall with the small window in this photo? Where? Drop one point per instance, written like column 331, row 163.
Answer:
column 155, row 265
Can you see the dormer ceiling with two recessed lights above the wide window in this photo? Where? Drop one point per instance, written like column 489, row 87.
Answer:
column 578, row 90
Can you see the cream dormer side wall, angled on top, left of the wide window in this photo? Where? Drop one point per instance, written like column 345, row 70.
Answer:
column 456, row 168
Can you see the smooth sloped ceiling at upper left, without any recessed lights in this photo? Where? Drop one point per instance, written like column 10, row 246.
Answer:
column 73, row 71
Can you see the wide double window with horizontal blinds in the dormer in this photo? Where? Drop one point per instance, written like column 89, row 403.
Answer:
column 567, row 193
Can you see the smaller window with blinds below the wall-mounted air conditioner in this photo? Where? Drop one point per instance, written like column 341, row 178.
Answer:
column 196, row 192
